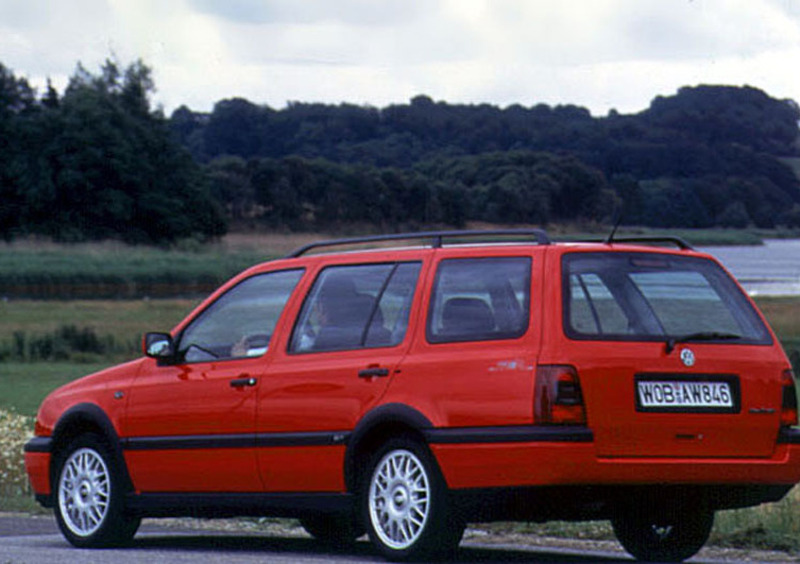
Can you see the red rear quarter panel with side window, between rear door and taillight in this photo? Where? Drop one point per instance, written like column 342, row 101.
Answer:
column 477, row 359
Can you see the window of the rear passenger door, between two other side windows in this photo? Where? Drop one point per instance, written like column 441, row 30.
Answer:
column 356, row 306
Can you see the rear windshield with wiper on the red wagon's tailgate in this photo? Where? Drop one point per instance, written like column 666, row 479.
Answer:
column 648, row 296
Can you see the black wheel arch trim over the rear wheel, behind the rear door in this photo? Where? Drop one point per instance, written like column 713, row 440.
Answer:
column 377, row 426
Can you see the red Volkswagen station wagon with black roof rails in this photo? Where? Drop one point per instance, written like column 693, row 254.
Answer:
column 464, row 377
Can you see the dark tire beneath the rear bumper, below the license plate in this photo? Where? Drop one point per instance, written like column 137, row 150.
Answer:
column 666, row 537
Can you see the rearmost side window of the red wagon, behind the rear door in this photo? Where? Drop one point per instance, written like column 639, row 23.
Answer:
column 480, row 299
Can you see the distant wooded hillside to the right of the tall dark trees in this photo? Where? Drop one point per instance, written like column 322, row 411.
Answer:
column 708, row 156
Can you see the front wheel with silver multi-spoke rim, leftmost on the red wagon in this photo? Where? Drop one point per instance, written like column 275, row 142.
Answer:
column 89, row 504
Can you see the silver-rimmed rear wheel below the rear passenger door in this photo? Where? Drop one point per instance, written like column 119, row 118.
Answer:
column 405, row 504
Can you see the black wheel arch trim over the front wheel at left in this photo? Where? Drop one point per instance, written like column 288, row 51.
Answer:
column 82, row 419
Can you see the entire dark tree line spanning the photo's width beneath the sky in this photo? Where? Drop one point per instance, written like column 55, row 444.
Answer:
column 99, row 162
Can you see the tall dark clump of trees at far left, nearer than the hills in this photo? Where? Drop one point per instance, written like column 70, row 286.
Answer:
column 97, row 163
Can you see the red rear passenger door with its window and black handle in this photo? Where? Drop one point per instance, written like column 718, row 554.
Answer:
column 349, row 336
